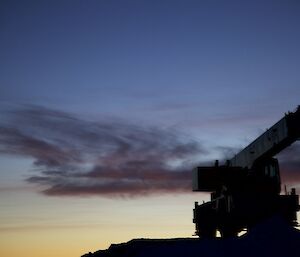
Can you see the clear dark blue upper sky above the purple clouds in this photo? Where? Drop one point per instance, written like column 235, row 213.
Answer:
column 130, row 56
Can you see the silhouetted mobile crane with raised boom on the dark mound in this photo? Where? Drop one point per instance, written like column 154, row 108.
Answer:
column 246, row 190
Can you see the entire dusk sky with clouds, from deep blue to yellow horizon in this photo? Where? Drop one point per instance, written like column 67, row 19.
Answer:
column 106, row 106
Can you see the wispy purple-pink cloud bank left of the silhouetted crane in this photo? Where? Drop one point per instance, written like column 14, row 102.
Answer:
column 77, row 157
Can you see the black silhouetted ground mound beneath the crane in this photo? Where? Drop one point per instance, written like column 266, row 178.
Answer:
column 273, row 238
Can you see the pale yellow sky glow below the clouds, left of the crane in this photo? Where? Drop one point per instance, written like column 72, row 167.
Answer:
column 35, row 225
